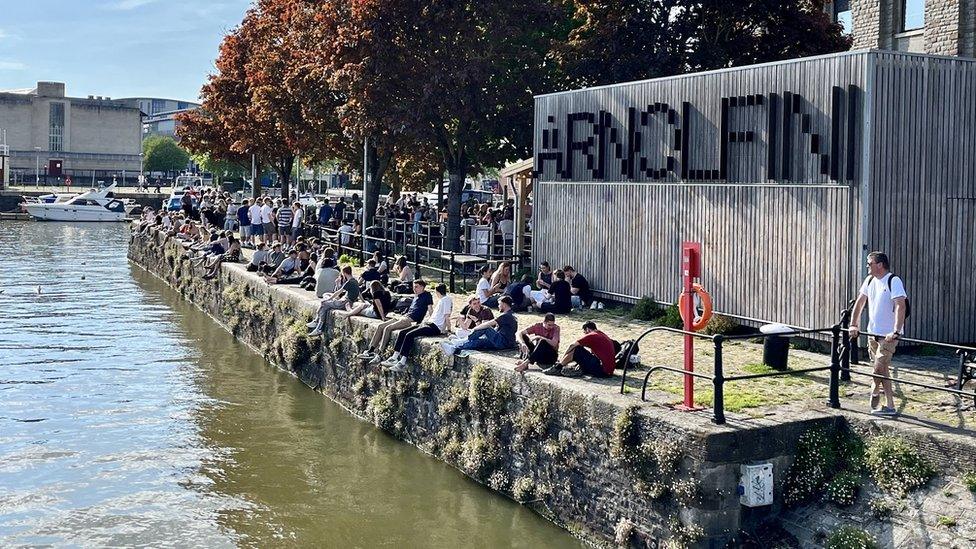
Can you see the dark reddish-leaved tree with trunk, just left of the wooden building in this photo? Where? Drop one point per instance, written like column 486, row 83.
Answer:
column 458, row 75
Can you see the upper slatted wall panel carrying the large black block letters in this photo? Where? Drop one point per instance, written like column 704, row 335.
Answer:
column 649, row 131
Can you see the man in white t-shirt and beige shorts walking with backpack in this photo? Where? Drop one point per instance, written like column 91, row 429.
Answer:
column 886, row 300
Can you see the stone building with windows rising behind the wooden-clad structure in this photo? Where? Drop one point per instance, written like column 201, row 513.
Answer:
column 938, row 27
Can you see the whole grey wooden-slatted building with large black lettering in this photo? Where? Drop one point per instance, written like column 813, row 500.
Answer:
column 788, row 173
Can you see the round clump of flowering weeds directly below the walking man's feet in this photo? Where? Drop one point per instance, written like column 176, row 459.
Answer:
column 896, row 465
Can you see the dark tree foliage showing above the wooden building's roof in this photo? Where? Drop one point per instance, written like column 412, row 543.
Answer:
column 623, row 40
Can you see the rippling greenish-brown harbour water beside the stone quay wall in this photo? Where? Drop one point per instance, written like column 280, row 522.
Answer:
column 130, row 418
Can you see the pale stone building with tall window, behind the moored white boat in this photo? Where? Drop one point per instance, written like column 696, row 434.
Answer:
column 52, row 136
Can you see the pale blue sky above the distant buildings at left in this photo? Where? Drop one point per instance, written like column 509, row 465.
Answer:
column 114, row 48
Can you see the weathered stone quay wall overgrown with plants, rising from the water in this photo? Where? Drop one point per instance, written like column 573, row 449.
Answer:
column 575, row 452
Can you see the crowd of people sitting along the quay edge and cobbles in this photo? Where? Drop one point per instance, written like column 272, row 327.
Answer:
column 312, row 264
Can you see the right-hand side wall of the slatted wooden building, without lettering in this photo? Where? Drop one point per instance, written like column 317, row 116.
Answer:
column 923, row 197
